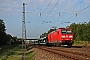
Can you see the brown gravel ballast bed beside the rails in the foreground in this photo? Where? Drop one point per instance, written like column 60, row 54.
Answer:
column 44, row 55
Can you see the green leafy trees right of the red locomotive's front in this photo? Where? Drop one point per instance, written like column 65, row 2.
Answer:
column 81, row 31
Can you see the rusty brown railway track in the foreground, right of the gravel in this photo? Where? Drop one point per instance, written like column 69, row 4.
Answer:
column 67, row 53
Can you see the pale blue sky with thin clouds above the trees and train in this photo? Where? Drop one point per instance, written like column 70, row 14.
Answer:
column 41, row 15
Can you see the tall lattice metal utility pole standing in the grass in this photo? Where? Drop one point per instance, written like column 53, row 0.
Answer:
column 23, row 32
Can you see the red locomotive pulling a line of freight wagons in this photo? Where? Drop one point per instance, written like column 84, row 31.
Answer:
column 61, row 36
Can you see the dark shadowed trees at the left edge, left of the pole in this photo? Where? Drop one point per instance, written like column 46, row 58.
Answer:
column 6, row 39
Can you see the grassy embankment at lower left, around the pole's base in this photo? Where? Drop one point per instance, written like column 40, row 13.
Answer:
column 14, row 53
